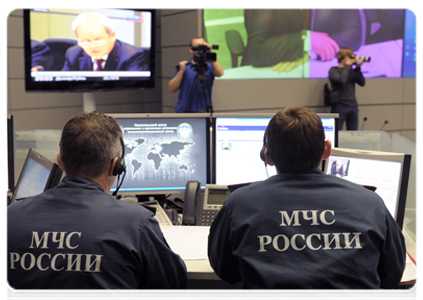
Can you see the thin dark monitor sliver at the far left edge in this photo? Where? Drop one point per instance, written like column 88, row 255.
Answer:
column 9, row 159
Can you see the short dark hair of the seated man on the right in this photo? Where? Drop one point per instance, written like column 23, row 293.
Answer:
column 295, row 139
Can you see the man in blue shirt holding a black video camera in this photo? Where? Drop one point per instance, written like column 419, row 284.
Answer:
column 194, row 78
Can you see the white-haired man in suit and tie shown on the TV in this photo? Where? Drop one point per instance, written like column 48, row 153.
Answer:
column 99, row 49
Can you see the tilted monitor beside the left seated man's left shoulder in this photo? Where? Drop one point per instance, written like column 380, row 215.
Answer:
column 38, row 174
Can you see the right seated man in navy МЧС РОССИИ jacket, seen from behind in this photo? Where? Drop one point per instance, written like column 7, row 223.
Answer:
column 302, row 234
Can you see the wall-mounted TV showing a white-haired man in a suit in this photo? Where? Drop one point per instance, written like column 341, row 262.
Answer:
column 83, row 49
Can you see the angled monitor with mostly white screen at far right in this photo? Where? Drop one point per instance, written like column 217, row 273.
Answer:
column 386, row 171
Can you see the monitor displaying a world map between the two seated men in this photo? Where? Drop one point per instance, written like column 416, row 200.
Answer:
column 164, row 151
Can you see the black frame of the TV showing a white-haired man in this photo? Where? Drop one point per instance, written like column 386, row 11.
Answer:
column 87, row 86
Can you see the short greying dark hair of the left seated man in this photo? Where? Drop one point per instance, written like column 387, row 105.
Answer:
column 89, row 142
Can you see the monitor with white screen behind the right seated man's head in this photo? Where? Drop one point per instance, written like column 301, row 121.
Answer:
column 238, row 139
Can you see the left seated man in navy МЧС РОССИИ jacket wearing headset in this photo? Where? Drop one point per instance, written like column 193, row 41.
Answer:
column 76, row 241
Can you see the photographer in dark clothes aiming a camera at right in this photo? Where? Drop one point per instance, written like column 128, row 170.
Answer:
column 343, row 79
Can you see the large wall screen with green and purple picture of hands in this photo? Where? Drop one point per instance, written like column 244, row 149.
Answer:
column 273, row 43
